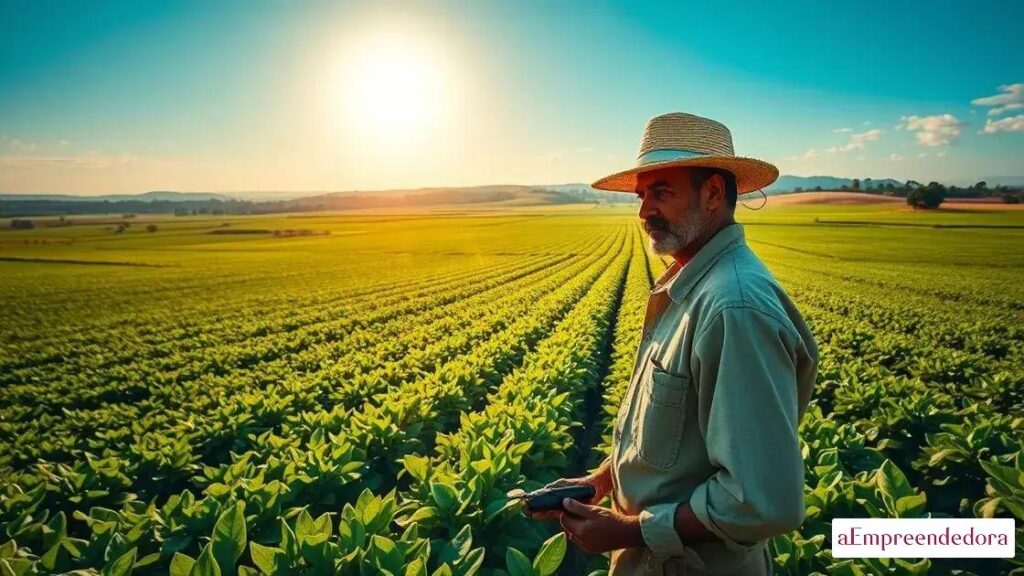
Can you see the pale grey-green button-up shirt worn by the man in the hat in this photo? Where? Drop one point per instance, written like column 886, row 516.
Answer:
column 723, row 375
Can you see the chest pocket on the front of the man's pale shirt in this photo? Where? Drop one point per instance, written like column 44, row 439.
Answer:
column 661, row 418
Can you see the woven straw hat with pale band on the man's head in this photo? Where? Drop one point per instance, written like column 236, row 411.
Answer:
column 685, row 140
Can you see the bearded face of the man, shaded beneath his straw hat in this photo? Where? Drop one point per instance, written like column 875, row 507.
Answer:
column 671, row 210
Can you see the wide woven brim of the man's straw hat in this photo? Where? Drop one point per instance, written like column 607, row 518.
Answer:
column 752, row 175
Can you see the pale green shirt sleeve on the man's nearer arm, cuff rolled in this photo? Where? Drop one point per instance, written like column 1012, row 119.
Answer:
column 744, row 362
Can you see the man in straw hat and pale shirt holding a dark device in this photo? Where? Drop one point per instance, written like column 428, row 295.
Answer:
column 706, row 464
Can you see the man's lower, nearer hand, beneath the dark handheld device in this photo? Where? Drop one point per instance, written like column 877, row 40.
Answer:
column 599, row 530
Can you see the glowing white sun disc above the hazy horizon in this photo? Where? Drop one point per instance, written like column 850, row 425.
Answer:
column 394, row 89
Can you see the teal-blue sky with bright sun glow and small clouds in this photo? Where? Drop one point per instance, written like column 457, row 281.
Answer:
column 130, row 97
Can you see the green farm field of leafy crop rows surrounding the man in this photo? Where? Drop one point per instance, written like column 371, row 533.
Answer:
column 212, row 398
